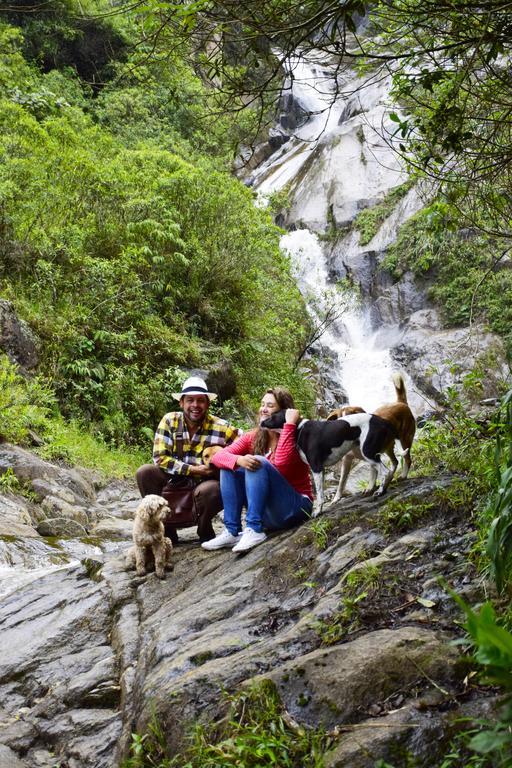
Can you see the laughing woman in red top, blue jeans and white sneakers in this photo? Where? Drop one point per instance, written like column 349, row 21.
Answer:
column 263, row 471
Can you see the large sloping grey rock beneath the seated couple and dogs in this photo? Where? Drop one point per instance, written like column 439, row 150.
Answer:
column 91, row 651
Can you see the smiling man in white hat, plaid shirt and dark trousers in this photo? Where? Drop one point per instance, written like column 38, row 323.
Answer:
column 179, row 442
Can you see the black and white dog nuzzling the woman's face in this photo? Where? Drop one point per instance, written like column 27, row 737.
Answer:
column 322, row 443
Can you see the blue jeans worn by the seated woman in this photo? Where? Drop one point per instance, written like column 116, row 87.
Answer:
column 270, row 500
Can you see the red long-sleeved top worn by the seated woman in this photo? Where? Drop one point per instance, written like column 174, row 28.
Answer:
column 285, row 458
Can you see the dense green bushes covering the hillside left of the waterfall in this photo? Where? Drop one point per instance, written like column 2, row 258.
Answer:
column 124, row 240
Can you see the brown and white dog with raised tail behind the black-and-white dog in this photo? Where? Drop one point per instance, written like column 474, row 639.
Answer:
column 400, row 416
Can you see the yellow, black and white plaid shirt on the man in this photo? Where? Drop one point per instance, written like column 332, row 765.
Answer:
column 213, row 431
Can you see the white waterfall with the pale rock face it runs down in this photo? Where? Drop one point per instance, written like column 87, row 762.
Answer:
column 337, row 162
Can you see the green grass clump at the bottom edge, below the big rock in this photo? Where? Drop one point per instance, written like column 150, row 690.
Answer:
column 255, row 733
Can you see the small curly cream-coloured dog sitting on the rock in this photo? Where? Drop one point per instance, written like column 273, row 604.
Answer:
column 150, row 547
